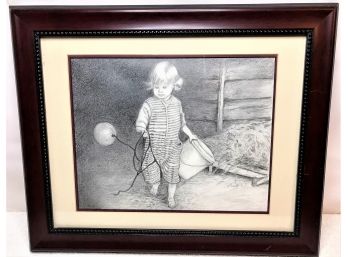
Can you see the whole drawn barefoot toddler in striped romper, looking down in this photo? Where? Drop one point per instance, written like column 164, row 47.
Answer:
column 160, row 119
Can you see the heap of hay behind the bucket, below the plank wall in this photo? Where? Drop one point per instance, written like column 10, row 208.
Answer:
column 245, row 145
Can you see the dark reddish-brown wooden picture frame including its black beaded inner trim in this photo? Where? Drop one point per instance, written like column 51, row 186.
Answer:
column 315, row 21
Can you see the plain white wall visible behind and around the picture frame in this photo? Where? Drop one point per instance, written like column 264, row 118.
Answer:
column 14, row 173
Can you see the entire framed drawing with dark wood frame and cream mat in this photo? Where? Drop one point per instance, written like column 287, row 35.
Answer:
column 188, row 129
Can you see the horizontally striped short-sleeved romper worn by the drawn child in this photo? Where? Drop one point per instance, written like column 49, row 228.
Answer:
column 163, row 121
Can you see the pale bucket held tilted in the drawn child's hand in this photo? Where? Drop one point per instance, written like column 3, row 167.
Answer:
column 195, row 157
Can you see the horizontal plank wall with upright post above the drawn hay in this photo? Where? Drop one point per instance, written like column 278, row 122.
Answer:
column 235, row 93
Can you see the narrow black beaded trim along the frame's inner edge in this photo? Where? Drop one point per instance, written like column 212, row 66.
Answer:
column 170, row 33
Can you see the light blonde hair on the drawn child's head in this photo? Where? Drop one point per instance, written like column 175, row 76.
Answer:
column 164, row 72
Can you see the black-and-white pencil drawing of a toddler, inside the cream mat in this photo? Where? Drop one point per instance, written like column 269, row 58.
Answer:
column 173, row 134
